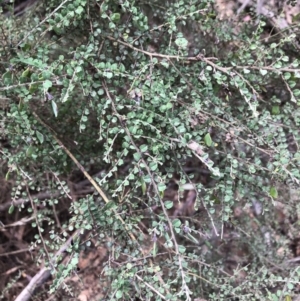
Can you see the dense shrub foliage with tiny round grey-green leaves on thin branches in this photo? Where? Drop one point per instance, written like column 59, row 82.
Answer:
column 137, row 90
